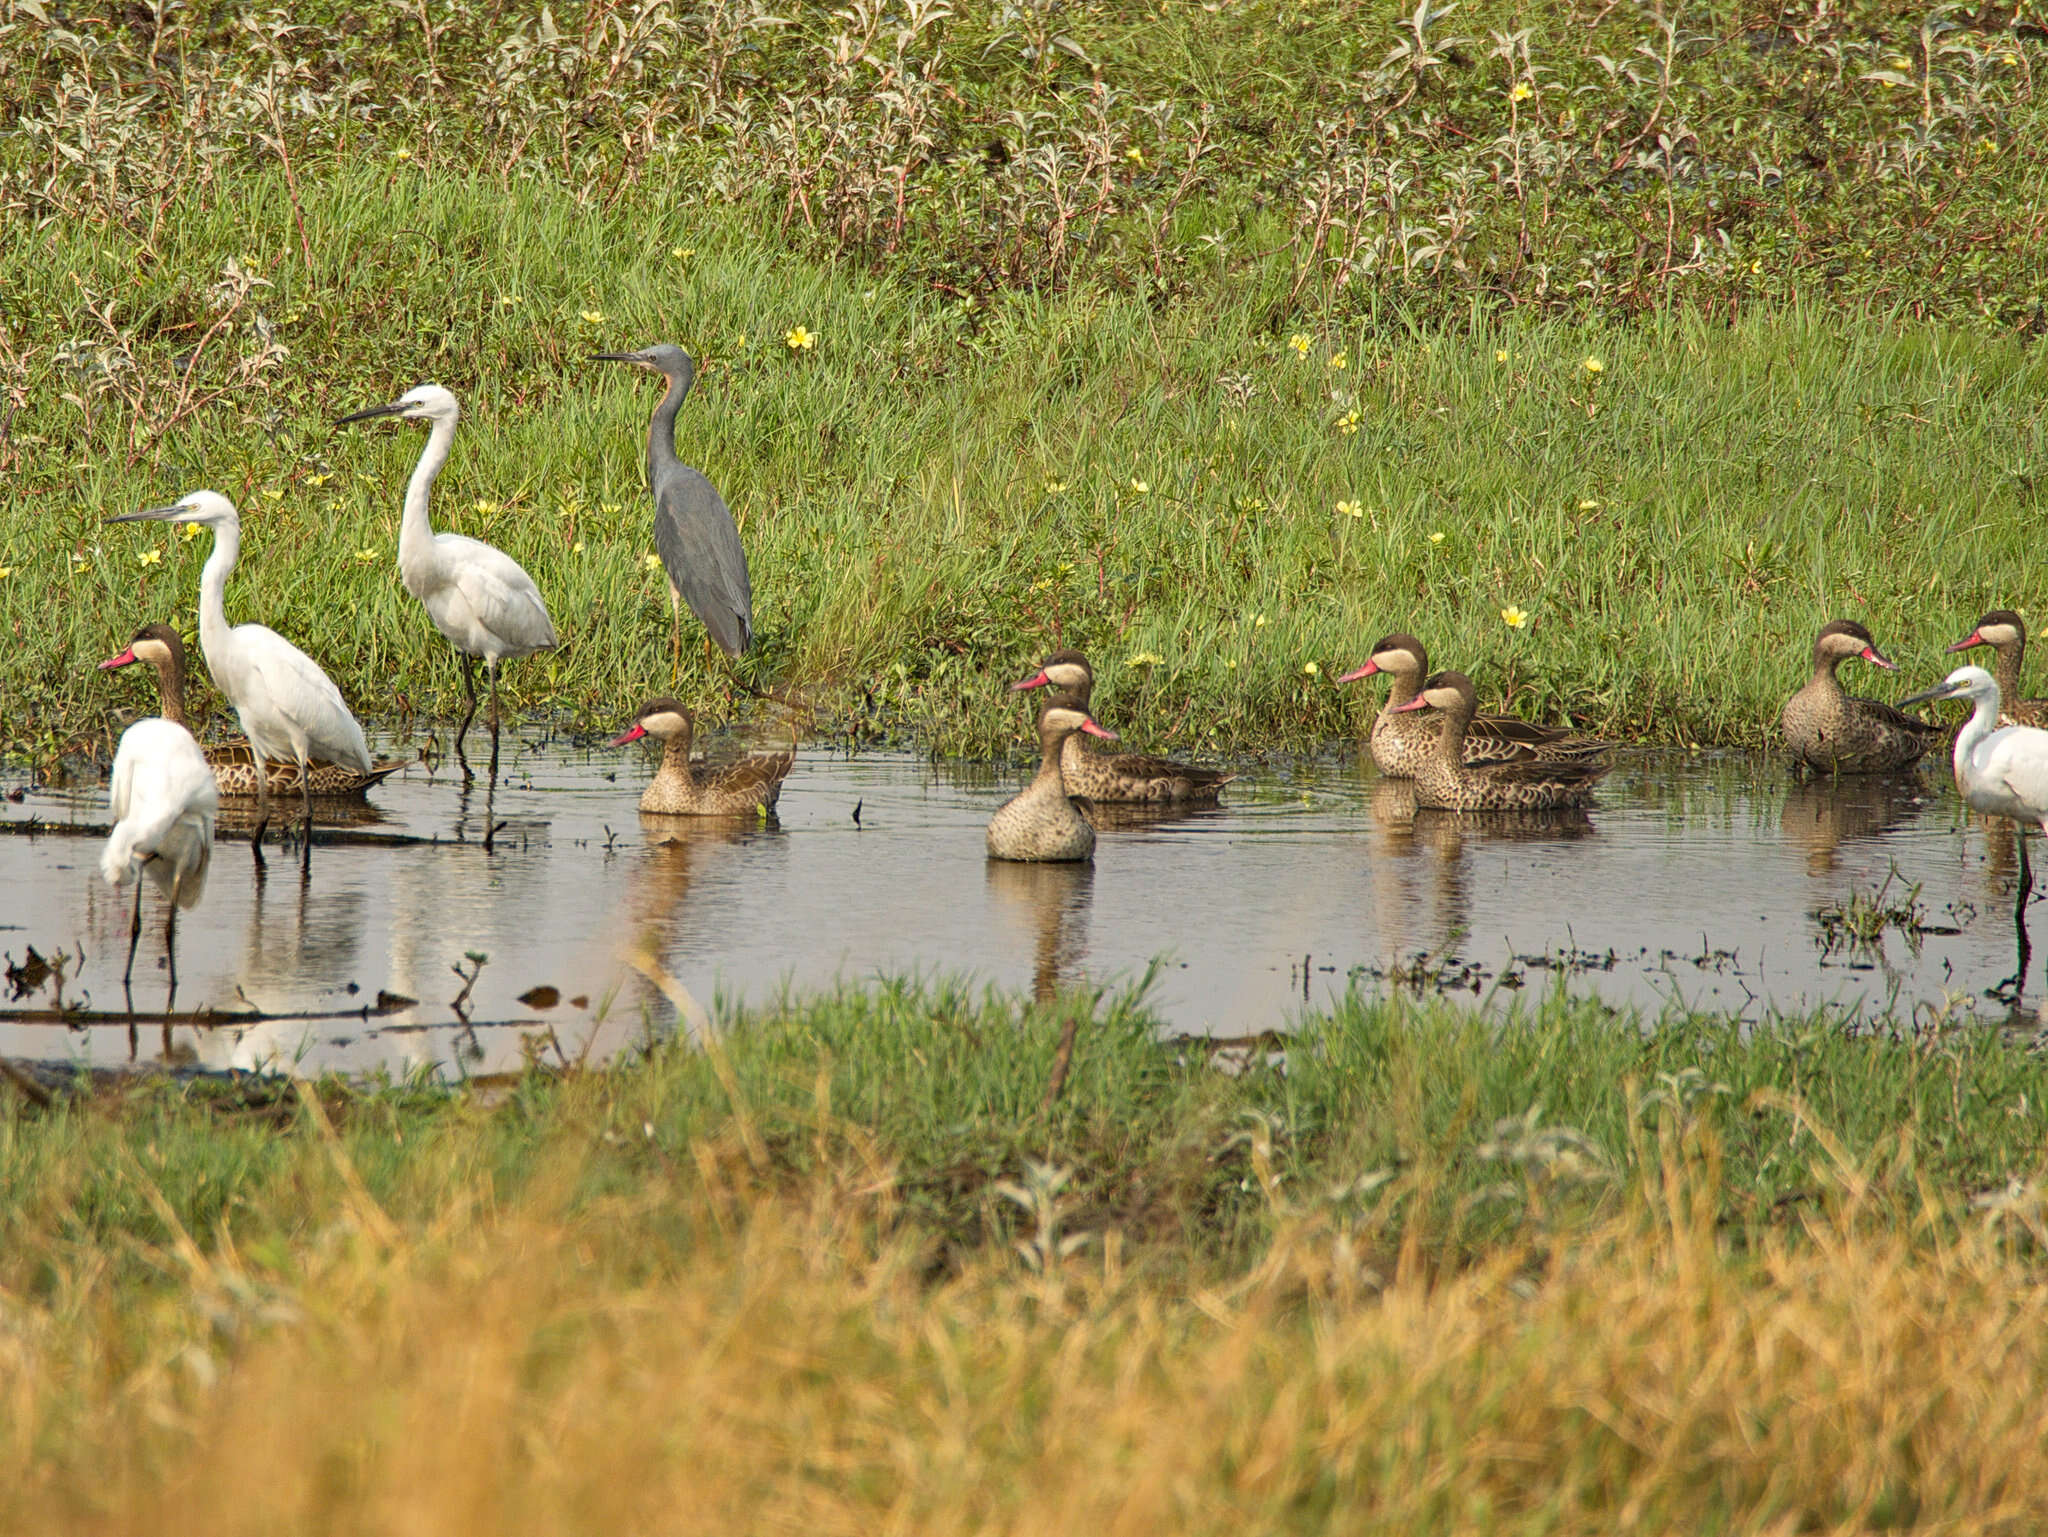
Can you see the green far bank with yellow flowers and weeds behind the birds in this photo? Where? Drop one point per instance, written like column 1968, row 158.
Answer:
column 1826, row 409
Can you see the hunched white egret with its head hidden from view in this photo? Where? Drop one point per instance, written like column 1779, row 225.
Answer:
column 165, row 802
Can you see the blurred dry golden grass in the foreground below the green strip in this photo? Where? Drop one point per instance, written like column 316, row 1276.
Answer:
column 730, row 1352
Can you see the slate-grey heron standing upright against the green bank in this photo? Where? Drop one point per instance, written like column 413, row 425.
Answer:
column 693, row 530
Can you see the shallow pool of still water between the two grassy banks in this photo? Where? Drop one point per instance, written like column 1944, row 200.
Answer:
column 1697, row 882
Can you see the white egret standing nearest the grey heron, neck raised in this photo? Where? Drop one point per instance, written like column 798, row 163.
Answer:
column 476, row 595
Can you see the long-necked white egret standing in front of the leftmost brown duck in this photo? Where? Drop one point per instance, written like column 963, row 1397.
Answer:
column 290, row 710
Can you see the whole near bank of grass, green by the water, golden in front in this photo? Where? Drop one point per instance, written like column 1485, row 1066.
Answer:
column 849, row 1276
